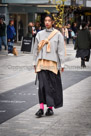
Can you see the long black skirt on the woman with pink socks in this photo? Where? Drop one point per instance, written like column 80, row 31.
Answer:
column 50, row 89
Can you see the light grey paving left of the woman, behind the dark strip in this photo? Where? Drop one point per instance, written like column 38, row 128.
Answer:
column 15, row 71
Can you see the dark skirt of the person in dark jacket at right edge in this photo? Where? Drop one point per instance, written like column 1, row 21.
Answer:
column 83, row 54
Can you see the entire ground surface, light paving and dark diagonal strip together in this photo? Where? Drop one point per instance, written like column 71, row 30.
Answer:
column 19, row 98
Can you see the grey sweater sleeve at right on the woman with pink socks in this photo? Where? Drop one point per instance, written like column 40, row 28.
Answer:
column 61, row 50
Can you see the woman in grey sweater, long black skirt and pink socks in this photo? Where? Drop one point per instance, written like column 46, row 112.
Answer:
column 48, row 54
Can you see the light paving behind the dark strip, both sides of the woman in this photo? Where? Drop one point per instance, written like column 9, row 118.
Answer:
column 17, row 71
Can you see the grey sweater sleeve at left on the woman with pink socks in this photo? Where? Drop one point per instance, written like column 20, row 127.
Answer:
column 35, row 50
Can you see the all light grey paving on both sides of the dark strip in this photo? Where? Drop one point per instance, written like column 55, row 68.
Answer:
column 74, row 119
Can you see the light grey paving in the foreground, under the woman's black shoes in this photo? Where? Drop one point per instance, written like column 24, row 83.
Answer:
column 74, row 119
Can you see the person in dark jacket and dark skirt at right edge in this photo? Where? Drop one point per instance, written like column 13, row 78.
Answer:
column 83, row 44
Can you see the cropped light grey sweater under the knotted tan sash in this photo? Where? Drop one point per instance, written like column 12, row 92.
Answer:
column 57, row 48
